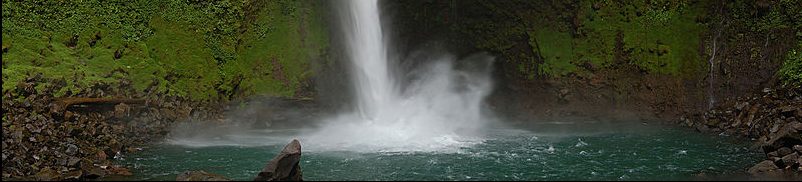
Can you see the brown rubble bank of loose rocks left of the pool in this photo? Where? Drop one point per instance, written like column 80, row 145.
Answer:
column 46, row 139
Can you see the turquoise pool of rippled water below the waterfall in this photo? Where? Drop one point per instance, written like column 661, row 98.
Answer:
column 545, row 151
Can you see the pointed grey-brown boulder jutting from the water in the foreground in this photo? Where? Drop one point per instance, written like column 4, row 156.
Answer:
column 285, row 166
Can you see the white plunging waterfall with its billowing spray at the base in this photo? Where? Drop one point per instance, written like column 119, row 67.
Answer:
column 439, row 110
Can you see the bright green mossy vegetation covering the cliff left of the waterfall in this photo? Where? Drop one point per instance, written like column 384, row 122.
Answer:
column 195, row 49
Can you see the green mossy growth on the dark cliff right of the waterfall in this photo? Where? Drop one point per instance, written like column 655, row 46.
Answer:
column 660, row 37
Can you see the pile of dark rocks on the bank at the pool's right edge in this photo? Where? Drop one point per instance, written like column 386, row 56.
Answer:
column 771, row 118
